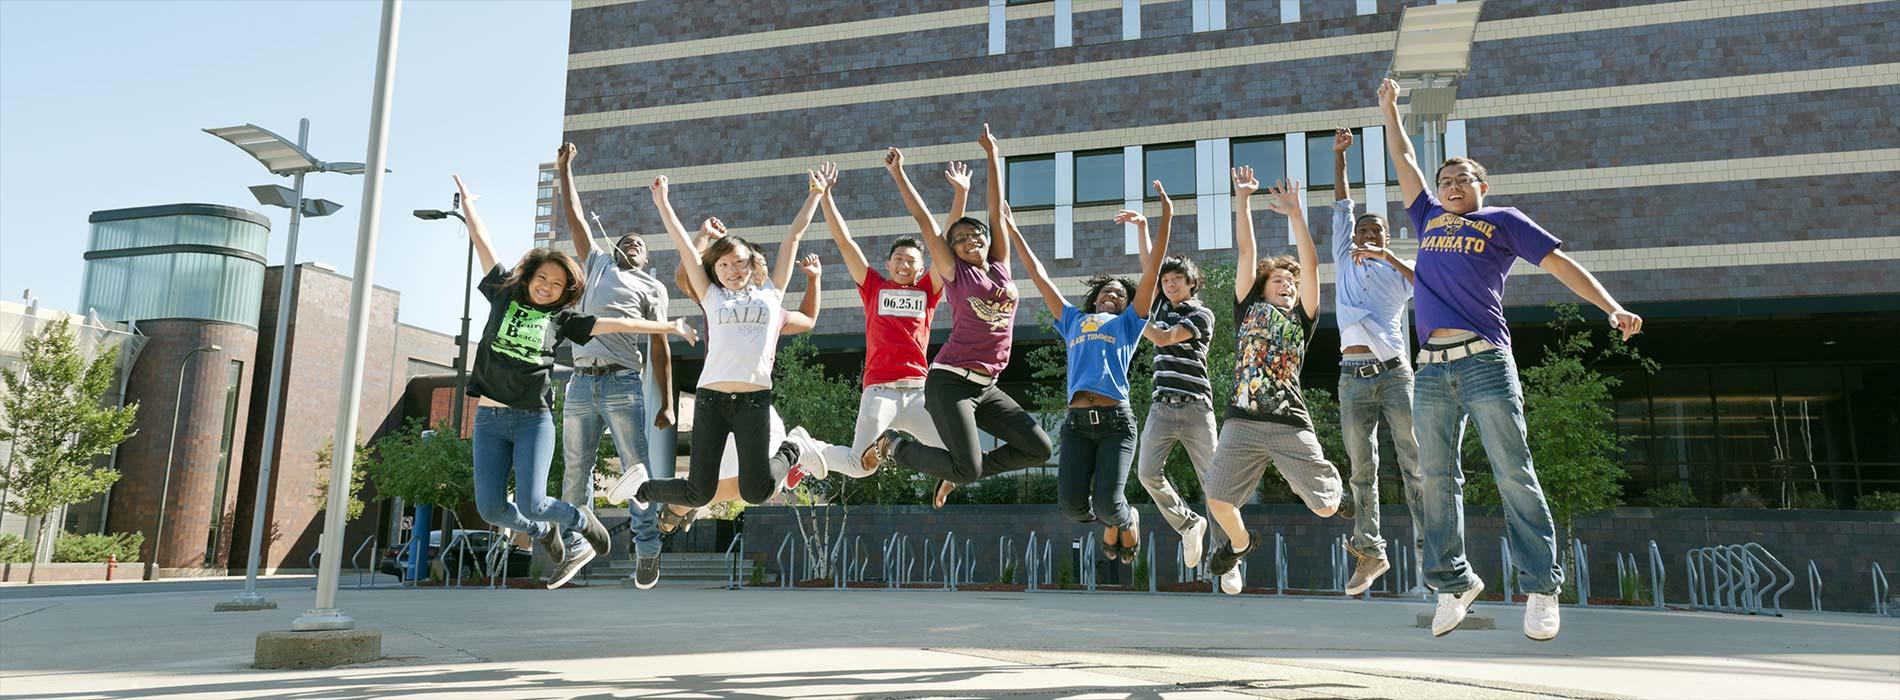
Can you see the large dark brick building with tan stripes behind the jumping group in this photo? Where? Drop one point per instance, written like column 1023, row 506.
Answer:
column 1726, row 170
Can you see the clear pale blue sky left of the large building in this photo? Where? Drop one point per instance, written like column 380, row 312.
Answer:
column 102, row 107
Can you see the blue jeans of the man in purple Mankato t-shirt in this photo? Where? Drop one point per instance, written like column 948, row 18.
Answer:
column 1487, row 389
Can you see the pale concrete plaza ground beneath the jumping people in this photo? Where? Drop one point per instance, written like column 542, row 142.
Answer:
column 763, row 644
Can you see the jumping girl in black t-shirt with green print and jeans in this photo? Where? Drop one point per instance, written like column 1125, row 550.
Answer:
column 529, row 315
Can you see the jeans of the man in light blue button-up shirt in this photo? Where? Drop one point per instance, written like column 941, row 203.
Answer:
column 1363, row 406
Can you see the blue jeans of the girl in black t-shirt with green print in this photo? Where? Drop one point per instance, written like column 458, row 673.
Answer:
column 518, row 440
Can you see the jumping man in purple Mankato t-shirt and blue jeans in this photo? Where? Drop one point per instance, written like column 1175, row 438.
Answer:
column 1466, row 368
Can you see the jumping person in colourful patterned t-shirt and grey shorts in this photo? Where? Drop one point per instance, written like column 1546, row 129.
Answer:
column 1268, row 421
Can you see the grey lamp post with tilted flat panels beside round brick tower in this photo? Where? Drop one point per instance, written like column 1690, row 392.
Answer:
column 282, row 159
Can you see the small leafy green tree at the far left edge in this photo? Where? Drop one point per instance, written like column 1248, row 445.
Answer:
column 58, row 427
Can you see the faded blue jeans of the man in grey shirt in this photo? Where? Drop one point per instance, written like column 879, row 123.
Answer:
column 618, row 406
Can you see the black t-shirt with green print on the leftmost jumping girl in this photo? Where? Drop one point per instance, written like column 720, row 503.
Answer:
column 518, row 345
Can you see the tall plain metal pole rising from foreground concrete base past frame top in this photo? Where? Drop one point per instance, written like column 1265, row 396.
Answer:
column 326, row 615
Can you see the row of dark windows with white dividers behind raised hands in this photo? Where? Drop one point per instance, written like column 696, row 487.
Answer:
column 1099, row 176
